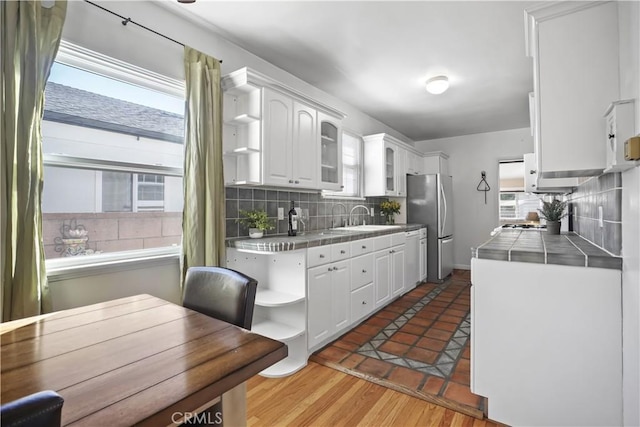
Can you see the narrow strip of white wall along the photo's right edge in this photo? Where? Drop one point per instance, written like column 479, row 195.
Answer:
column 629, row 17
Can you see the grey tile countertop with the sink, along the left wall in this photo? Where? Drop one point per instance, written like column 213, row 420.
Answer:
column 279, row 243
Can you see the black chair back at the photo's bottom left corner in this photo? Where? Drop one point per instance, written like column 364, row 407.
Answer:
column 41, row 409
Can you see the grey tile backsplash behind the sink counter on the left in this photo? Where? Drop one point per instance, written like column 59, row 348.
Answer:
column 321, row 211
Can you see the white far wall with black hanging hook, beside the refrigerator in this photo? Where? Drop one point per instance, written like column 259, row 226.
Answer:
column 469, row 155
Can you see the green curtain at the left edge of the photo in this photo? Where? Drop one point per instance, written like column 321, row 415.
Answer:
column 31, row 35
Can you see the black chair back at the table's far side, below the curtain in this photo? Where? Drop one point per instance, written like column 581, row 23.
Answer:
column 221, row 293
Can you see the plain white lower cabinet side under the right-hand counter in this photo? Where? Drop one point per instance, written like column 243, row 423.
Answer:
column 546, row 343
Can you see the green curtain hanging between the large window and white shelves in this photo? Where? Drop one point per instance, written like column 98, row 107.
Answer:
column 203, row 219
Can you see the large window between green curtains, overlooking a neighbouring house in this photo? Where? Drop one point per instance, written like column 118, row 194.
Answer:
column 113, row 142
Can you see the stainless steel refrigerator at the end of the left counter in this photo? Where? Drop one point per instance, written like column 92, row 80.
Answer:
column 430, row 202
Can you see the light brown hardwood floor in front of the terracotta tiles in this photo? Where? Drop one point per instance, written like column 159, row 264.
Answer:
column 320, row 396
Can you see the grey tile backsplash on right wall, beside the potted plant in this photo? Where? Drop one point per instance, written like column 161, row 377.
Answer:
column 604, row 191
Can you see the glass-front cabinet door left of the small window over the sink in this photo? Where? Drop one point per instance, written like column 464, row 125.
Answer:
column 330, row 153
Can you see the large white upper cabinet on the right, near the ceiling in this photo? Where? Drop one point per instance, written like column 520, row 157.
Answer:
column 574, row 46
